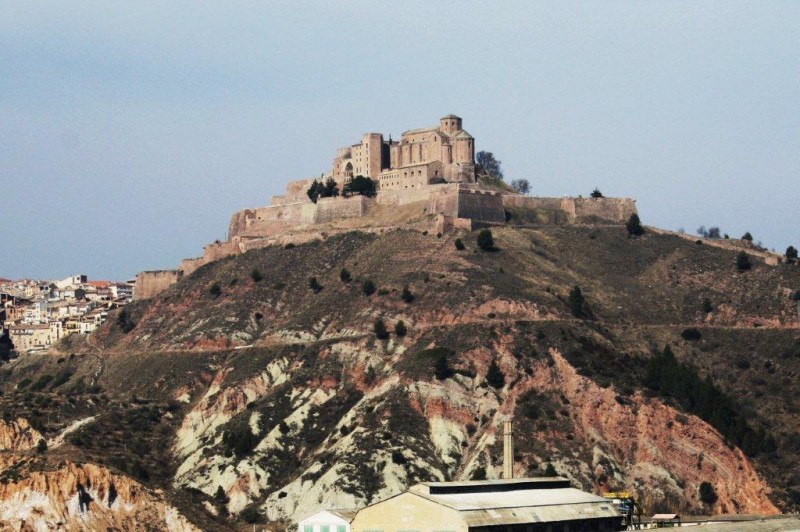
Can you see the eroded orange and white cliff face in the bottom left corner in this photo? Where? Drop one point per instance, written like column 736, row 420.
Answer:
column 81, row 497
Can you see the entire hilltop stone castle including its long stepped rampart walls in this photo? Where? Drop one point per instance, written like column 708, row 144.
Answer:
column 426, row 181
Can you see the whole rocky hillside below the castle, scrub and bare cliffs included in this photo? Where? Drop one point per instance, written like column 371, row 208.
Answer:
column 337, row 372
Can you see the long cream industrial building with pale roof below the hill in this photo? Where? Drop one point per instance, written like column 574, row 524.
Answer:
column 514, row 505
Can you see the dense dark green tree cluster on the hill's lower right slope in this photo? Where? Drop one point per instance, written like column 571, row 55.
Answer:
column 701, row 397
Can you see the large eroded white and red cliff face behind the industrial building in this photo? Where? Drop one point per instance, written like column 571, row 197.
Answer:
column 401, row 431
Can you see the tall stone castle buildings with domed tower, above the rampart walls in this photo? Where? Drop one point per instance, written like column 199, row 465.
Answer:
column 422, row 157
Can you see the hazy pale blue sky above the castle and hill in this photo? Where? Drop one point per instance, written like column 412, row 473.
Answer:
column 131, row 131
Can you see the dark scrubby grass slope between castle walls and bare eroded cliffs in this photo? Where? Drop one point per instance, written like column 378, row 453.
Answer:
column 642, row 293
